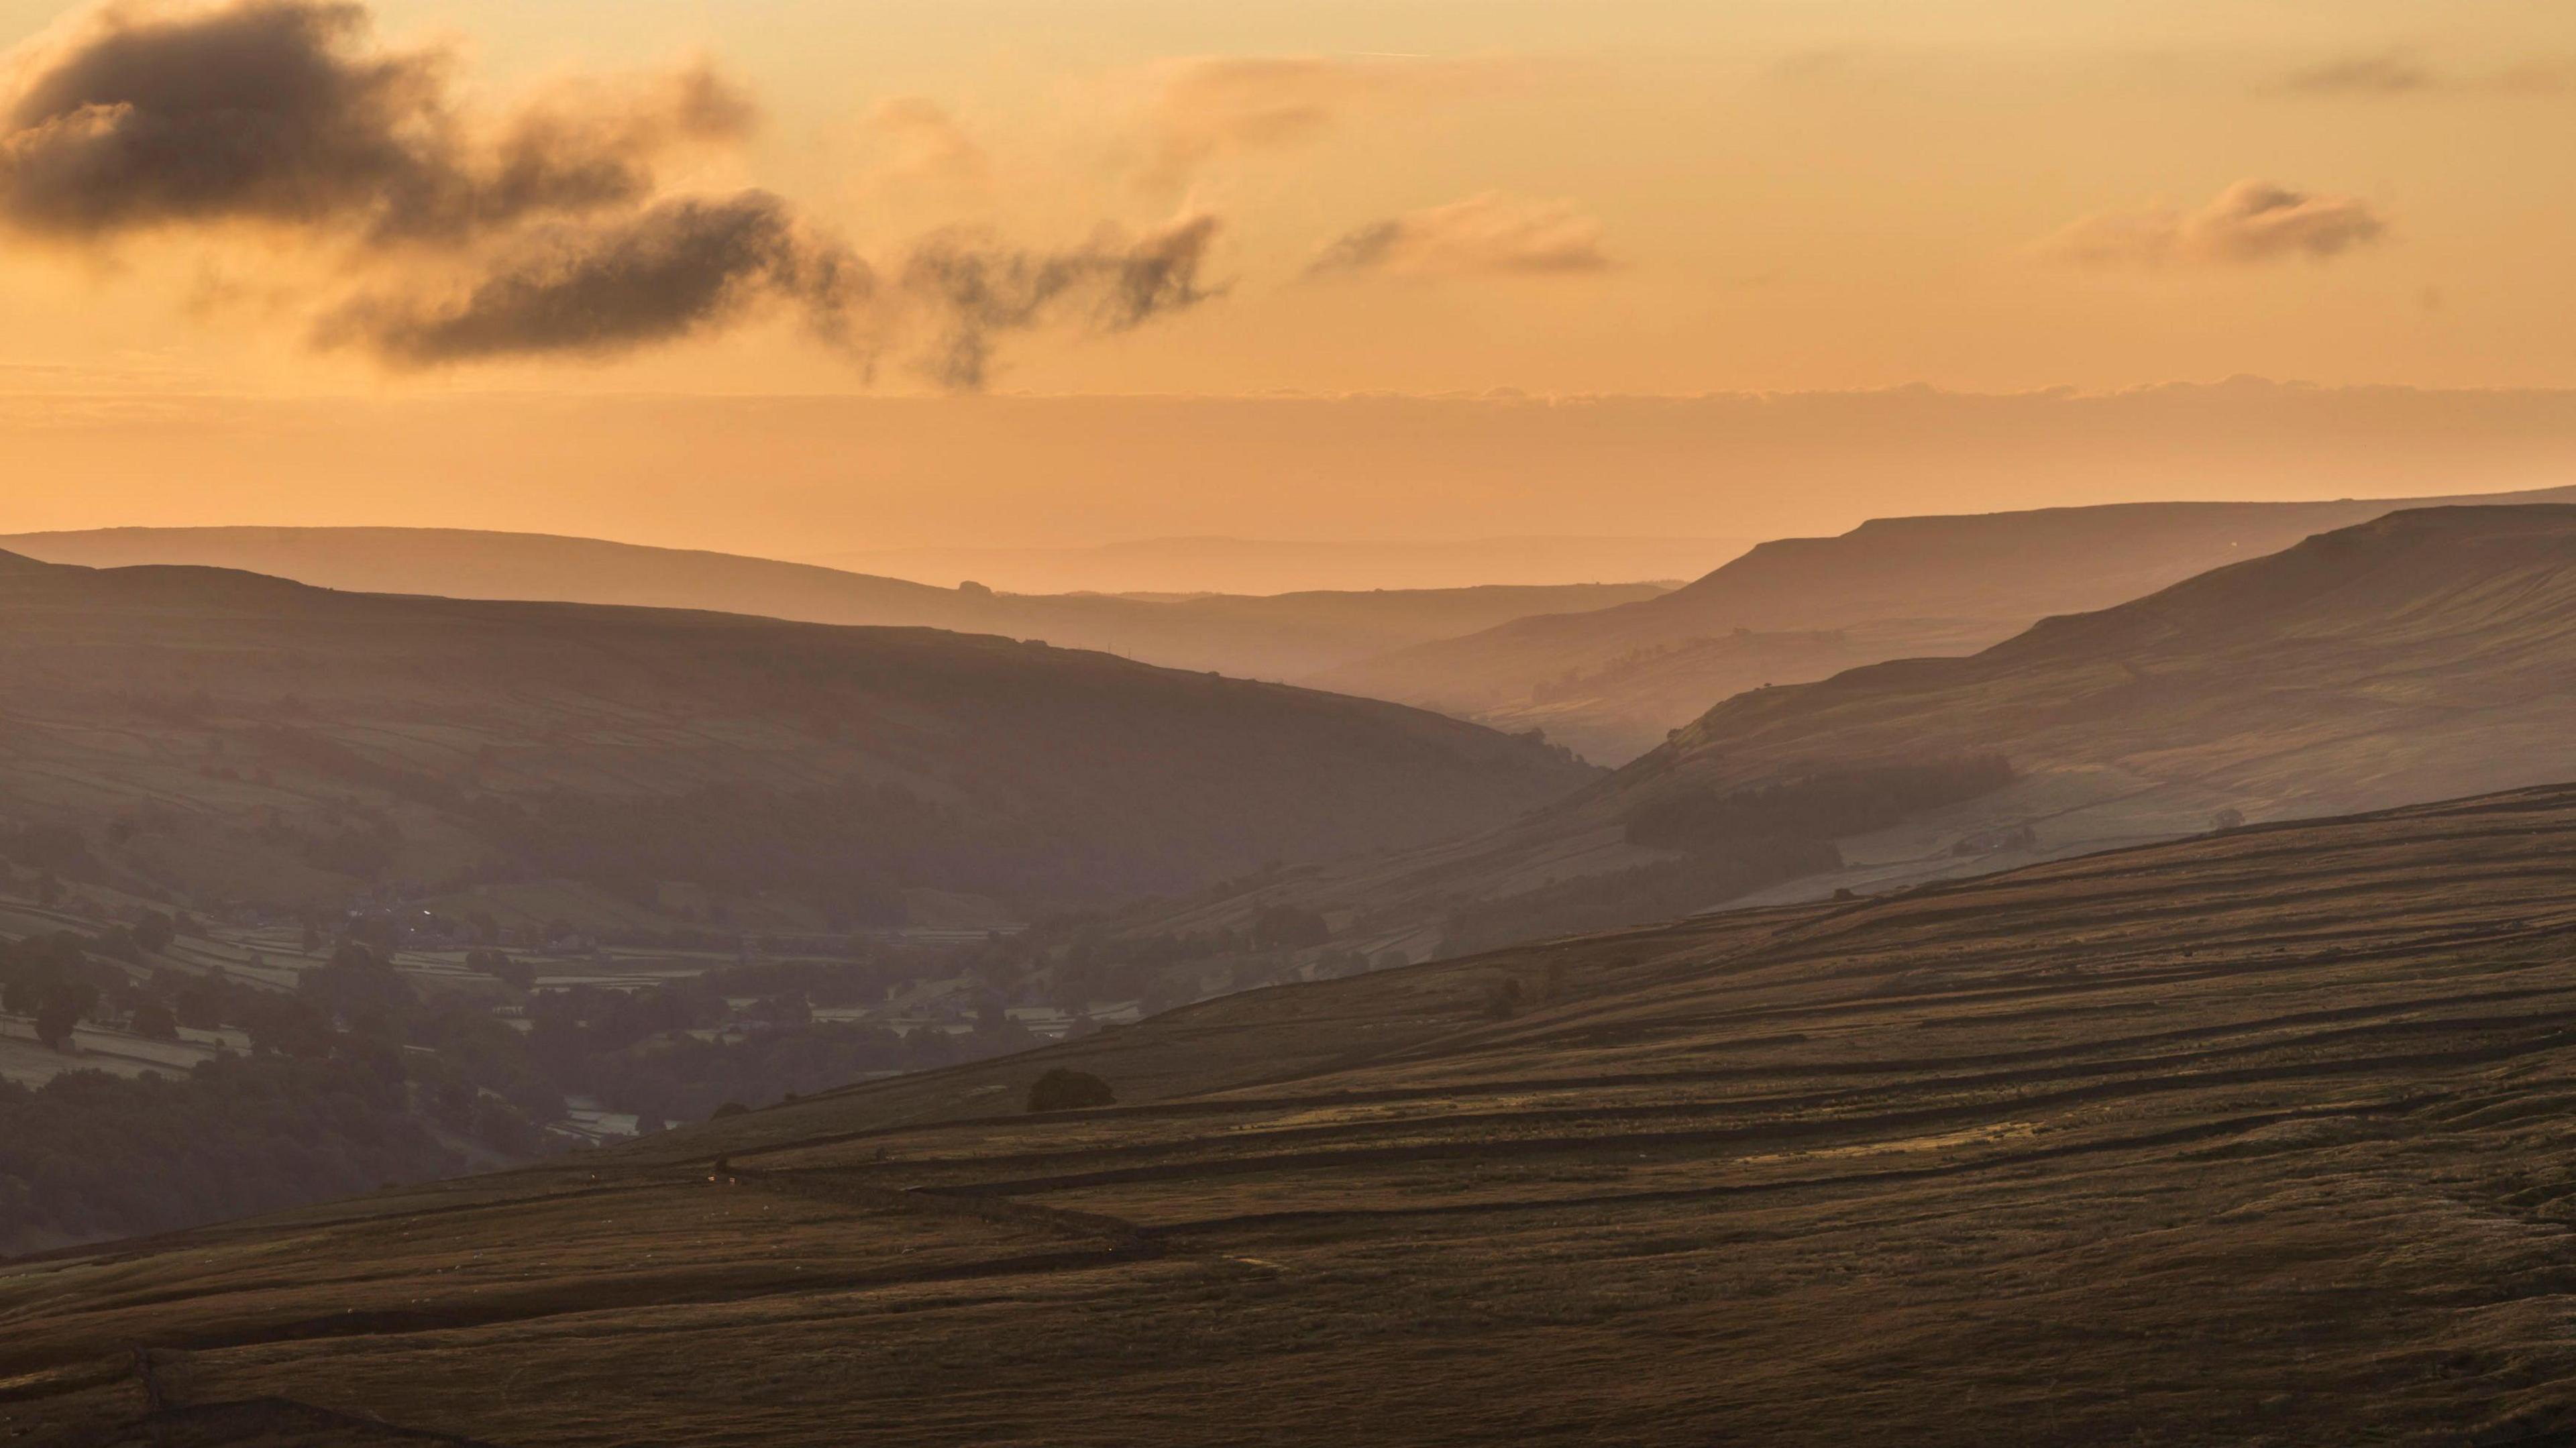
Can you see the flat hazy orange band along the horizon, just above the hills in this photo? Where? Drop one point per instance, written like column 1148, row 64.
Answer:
column 815, row 478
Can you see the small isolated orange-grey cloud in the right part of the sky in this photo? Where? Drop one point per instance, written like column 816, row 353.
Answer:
column 2245, row 225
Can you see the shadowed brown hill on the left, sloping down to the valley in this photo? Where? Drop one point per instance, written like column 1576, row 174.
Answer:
column 236, row 738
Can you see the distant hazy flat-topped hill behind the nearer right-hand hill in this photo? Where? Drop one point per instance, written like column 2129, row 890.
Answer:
column 1614, row 681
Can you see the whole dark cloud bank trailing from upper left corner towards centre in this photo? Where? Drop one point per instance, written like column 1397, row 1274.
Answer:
column 468, row 236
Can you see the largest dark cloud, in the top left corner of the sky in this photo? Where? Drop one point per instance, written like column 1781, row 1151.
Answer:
column 282, row 112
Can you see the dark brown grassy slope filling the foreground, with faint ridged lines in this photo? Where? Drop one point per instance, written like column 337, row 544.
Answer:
column 2253, row 1138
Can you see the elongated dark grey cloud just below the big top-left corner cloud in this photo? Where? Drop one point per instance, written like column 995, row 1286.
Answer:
column 668, row 272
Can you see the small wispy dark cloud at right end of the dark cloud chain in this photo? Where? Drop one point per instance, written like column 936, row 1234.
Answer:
column 978, row 292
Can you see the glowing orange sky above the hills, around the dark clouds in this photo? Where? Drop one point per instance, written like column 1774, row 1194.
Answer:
column 1410, row 197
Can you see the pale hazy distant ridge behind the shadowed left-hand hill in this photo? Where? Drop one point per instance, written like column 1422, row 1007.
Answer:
column 1279, row 638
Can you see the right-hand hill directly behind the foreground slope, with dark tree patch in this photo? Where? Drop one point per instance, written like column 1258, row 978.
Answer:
column 2420, row 656
